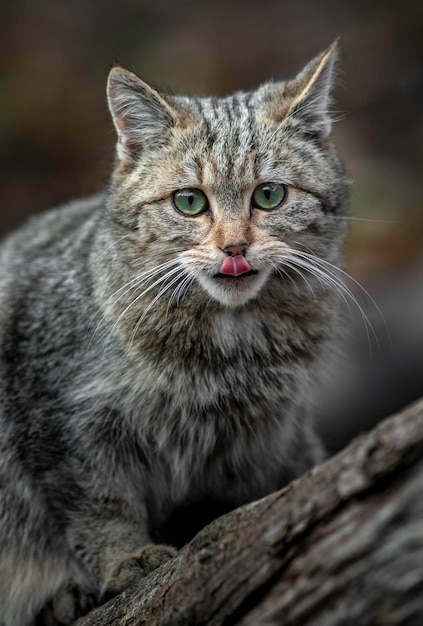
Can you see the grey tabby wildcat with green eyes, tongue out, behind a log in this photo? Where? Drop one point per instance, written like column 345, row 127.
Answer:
column 160, row 342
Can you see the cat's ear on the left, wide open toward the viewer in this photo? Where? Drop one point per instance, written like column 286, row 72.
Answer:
column 141, row 116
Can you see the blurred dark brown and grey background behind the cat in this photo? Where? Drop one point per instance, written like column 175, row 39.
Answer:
column 56, row 138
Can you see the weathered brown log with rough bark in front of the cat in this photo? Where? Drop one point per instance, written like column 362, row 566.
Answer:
column 341, row 546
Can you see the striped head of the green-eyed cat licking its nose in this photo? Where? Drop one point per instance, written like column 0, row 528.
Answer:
column 222, row 190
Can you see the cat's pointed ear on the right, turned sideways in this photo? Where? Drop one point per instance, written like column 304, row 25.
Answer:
column 306, row 99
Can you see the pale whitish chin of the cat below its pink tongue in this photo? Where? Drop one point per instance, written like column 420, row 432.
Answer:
column 234, row 292
